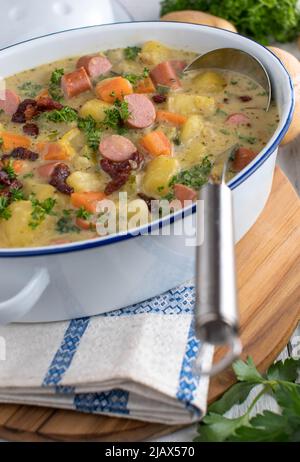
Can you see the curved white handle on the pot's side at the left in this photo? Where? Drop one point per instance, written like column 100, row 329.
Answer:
column 20, row 304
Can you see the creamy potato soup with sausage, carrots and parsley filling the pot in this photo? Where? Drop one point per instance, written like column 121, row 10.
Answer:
column 83, row 129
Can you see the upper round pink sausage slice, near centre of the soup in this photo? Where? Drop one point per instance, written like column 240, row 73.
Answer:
column 141, row 109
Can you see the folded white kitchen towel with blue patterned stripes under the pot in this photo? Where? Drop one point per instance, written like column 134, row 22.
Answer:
column 136, row 362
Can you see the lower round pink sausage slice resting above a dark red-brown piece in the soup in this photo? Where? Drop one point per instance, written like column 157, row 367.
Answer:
column 117, row 148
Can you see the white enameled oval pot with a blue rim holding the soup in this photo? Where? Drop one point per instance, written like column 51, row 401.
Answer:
column 89, row 278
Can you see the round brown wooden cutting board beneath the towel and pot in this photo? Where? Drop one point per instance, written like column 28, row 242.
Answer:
column 268, row 260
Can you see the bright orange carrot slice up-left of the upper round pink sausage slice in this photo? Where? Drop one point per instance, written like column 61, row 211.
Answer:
column 109, row 90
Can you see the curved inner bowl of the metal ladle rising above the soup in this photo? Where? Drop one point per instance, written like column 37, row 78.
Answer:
column 236, row 60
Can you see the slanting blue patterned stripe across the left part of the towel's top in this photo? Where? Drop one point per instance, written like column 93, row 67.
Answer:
column 65, row 354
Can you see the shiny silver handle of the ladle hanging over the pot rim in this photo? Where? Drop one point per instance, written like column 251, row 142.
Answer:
column 216, row 310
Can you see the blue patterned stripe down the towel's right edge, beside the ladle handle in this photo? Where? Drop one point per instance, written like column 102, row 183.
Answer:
column 188, row 380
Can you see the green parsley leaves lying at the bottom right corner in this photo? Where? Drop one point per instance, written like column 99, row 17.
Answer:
column 280, row 381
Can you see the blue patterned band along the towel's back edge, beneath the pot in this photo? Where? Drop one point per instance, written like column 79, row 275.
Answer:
column 176, row 301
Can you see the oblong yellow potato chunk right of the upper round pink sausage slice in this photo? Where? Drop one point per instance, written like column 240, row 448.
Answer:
column 191, row 104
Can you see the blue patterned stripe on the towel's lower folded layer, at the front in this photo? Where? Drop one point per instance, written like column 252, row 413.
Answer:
column 114, row 401
